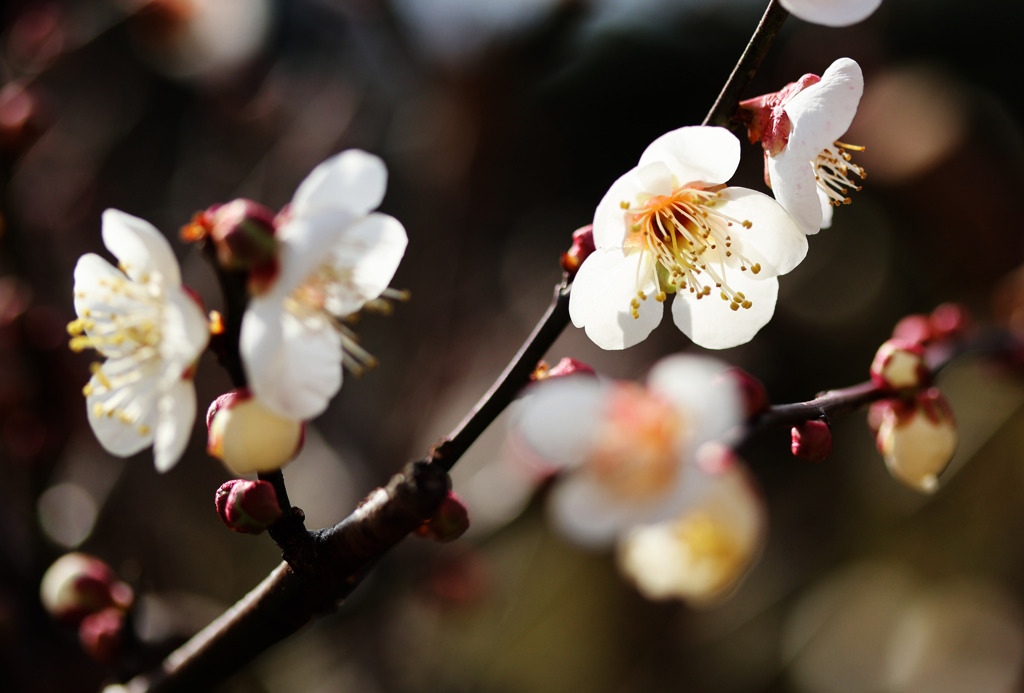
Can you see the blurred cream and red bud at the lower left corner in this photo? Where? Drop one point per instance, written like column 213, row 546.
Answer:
column 78, row 585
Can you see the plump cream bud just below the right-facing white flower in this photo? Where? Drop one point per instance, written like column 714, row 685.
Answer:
column 248, row 438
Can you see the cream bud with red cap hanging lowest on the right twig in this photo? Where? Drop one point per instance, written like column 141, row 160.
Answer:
column 918, row 439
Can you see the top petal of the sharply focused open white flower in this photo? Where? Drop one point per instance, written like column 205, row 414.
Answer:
column 697, row 154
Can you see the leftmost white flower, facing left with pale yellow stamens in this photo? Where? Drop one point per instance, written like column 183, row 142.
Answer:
column 151, row 332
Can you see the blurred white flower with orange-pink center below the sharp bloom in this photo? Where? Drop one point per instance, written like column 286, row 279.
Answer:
column 627, row 451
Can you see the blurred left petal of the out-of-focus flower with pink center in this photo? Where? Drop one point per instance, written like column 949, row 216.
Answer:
column 559, row 420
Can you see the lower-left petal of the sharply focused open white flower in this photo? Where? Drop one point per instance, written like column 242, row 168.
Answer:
column 602, row 294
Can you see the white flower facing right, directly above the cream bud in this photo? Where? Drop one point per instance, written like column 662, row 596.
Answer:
column 335, row 256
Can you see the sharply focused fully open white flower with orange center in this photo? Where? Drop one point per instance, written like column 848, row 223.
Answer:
column 671, row 227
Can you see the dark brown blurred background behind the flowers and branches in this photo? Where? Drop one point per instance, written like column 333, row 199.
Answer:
column 503, row 122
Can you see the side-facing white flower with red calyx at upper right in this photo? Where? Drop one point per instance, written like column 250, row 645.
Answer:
column 799, row 127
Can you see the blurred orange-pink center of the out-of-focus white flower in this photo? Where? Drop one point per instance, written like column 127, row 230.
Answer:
column 638, row 453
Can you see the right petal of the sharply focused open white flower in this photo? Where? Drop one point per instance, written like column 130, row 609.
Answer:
column 775, row 239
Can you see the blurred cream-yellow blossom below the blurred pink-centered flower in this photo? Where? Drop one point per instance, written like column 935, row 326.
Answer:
column 702, row 555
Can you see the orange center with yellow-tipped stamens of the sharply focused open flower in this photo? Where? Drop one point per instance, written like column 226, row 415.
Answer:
column 691, row 243
